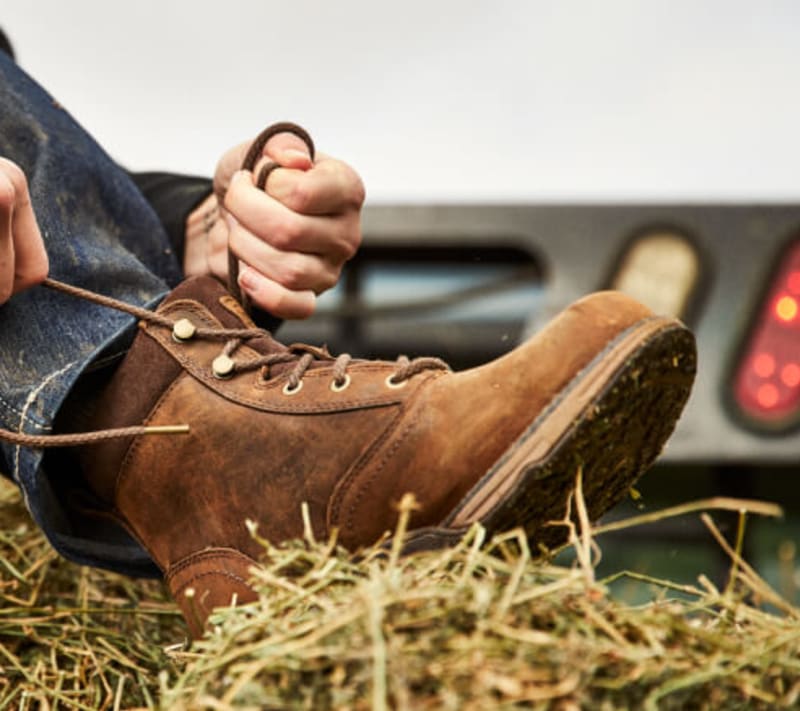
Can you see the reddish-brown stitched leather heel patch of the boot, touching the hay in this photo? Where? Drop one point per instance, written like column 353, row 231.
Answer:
column 213, row 577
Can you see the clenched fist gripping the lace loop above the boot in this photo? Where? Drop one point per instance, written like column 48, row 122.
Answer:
column 293, row 238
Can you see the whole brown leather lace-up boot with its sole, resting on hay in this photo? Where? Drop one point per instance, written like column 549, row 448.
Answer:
column 273, row 426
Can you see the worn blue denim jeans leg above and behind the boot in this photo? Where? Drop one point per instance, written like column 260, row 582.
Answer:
column 101, row 234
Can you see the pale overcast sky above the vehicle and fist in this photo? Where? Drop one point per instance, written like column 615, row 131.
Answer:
column 444, row 101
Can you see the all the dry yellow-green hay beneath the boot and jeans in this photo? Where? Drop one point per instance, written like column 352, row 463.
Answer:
column 481, row 625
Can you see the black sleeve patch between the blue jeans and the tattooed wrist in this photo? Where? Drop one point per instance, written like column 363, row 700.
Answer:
column 173, row 197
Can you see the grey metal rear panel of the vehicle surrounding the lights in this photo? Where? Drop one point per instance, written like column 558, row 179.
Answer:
column 578, row 248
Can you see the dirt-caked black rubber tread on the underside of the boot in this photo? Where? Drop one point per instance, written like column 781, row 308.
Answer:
column 613, row 440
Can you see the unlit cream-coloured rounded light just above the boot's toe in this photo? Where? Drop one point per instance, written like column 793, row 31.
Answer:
column 661, row 269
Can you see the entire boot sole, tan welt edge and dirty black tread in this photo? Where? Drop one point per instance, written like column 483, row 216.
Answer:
column 611, row 422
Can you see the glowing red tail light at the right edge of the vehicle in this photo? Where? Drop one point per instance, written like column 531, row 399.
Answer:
column 767, row 382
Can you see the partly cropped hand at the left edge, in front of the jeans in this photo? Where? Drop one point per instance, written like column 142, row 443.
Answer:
column 23, row 260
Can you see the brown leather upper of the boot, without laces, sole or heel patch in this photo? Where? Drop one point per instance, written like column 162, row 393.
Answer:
column 257, row 452
